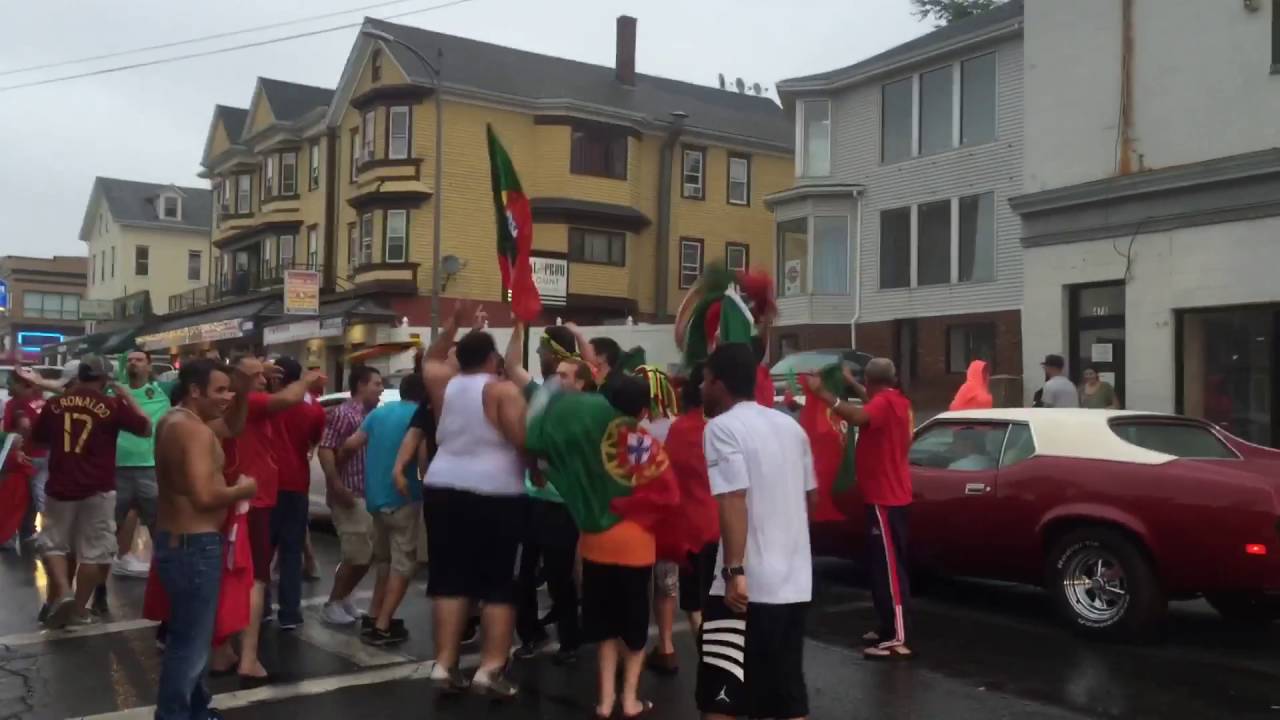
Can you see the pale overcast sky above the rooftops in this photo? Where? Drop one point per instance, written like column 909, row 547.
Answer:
column 150, row 124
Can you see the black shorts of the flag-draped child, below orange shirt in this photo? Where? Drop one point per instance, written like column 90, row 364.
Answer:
column 616, row 604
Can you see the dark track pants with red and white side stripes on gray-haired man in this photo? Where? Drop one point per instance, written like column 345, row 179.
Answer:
column 892, row 589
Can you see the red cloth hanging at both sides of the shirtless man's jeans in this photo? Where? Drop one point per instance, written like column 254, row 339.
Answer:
column 234, row 591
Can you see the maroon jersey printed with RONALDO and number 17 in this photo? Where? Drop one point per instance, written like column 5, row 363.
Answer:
column 81, row 429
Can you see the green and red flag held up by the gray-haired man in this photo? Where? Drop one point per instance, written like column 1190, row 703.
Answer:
column 831, row 444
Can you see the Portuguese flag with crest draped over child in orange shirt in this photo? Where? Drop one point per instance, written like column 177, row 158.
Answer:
column 607, row 470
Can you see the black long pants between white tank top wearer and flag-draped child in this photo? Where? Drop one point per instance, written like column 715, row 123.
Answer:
column 551, row 539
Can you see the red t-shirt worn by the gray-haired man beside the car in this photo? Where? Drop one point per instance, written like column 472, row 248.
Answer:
column 884, row 473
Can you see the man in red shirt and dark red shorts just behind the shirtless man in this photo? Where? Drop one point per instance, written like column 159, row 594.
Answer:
column 255, row 454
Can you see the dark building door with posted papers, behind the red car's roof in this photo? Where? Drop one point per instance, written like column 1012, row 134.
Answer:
column 1098, row 334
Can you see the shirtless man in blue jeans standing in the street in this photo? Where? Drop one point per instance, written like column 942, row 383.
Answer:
column 191, row 511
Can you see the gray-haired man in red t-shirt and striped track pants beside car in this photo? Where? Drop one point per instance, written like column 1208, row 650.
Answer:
column 885, row 426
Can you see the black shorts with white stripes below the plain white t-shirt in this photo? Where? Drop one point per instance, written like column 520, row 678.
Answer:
column 753, row 666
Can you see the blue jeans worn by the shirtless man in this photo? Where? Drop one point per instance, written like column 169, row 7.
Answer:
column 191, row 572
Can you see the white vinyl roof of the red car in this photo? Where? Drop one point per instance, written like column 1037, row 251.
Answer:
column 1068, row 432
